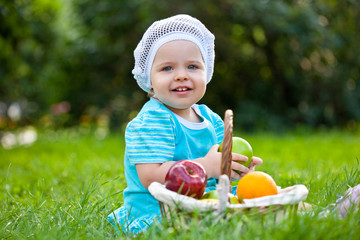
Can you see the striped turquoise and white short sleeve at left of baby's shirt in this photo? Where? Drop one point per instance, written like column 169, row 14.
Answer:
column 150, row 138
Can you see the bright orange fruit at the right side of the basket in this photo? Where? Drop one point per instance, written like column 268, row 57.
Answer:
column 256, row 184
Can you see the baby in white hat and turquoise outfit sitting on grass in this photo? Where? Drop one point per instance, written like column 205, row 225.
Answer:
column 174, row 61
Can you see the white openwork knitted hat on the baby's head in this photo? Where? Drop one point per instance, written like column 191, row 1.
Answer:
column 179, row 27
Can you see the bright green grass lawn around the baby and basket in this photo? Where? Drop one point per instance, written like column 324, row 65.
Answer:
column 64, row 186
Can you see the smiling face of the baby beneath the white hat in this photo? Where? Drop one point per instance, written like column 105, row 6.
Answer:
column 178, row 75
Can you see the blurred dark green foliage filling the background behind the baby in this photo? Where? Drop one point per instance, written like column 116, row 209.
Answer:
column 278, row 63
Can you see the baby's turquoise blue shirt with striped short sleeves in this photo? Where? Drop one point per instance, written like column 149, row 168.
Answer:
column 157, row 135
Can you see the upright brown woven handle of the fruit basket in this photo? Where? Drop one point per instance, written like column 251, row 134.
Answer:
column 226, row 157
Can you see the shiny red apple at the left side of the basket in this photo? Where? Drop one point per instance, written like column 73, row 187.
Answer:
column 187, row 178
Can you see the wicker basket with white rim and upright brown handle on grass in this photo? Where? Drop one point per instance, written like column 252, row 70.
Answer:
column 290, row 196
